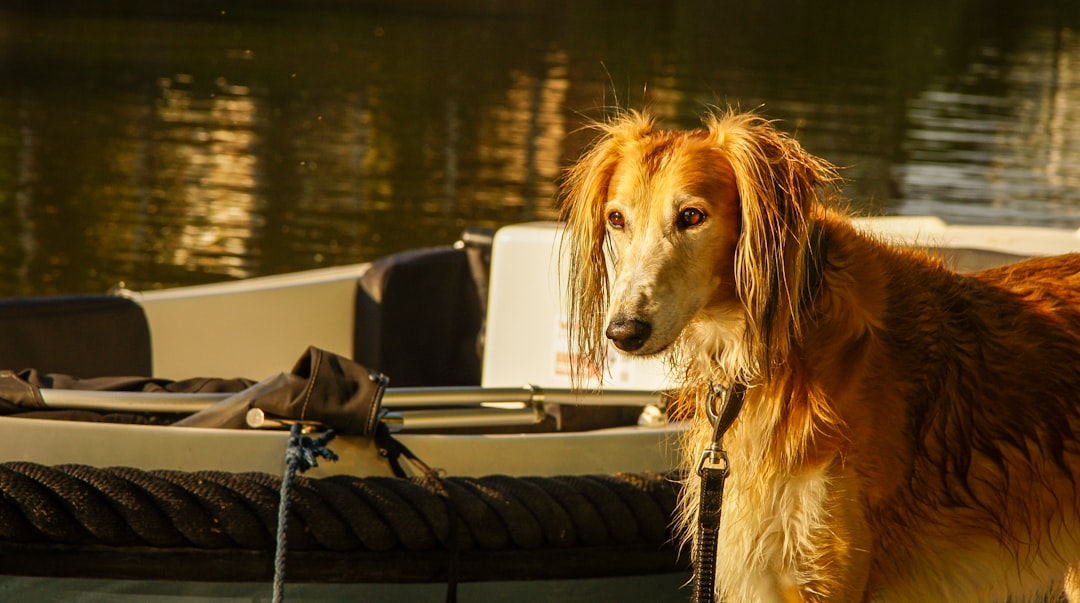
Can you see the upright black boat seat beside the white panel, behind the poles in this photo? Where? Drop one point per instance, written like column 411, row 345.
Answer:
column 420, row 317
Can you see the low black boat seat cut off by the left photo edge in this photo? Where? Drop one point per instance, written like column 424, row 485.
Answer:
column 85, row 336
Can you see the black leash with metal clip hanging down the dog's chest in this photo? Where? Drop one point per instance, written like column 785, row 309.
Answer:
column 713, row 471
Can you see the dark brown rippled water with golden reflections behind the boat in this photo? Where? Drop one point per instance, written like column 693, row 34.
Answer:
column 174, row 143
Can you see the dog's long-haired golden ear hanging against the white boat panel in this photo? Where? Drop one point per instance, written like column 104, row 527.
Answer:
column 585, row 246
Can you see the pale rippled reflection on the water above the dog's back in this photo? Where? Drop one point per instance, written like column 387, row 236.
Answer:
column 1001, row 141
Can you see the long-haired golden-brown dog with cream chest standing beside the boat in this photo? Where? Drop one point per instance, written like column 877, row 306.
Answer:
column 909, row 434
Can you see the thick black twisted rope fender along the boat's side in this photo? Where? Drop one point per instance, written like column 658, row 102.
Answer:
column 117, row 507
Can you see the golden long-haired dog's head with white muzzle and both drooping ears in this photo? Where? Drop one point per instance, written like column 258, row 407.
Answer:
column 706, row 233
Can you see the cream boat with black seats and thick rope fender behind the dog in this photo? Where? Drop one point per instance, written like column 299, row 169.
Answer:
column 146, row 437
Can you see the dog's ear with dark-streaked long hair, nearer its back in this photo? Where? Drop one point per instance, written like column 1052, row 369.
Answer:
column 778, row 184
